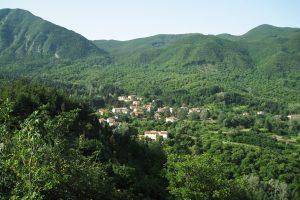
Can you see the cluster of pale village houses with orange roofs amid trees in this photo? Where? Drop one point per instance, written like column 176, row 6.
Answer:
column 136, row 107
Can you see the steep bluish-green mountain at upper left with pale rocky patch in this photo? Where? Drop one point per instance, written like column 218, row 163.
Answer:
column 23, row 34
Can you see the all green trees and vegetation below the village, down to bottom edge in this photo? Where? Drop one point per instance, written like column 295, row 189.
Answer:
column 52, row 147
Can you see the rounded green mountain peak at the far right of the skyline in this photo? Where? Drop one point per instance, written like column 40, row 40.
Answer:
column 276, row 50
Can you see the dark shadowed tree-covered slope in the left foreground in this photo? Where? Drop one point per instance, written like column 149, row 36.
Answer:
column 52, row 147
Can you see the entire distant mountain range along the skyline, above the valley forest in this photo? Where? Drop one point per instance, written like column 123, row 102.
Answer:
column 272, row 50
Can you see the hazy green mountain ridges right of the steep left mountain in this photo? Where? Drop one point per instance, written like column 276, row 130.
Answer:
column 272, row 50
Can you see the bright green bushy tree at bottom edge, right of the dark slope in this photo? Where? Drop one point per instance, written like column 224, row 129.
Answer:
column 197, row 177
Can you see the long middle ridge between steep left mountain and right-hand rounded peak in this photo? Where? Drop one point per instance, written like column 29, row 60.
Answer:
column 186, row 49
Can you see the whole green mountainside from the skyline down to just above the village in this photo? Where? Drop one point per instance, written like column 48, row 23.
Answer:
column 263, row 63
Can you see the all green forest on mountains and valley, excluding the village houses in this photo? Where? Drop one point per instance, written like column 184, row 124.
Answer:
column 244, row 143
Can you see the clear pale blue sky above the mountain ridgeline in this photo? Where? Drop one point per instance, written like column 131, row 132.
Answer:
column 128, row 19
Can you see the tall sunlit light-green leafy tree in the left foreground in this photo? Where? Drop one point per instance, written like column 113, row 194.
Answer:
column 33, row 159
